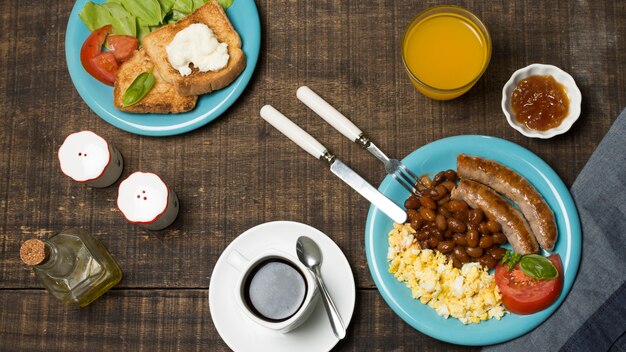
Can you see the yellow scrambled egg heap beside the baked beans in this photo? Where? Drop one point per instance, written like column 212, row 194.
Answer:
column 469, row 294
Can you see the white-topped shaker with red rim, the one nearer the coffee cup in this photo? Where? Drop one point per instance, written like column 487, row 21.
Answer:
column 144, row 199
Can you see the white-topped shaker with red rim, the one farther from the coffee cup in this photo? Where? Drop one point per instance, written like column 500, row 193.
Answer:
column 86, row 157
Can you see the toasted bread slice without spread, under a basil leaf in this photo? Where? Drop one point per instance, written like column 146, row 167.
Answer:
column 163, row 97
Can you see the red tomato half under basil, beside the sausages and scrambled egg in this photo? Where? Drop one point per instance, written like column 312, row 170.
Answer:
column 522, row 294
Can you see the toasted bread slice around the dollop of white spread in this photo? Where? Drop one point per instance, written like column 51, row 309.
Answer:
column 213, row 15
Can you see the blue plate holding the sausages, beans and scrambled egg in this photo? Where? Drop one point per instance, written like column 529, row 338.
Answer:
column 441, row 155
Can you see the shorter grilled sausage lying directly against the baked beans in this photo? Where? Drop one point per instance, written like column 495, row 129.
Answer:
column 496, row 208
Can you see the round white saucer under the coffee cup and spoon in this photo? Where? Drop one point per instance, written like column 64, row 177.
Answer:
column 242, row 334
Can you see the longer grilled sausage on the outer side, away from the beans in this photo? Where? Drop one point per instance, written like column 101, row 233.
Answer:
column 515, row 187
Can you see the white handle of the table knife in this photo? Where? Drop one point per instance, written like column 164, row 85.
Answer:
column 292, row 131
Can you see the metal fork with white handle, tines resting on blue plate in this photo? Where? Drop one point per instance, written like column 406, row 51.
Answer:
column 394, row 167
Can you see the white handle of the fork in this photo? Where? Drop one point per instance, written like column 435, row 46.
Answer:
column 328, row 113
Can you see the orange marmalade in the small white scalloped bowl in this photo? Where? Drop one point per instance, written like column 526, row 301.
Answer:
column 540, row 103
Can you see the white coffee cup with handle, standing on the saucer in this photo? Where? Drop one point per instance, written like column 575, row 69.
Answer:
column 263, row 265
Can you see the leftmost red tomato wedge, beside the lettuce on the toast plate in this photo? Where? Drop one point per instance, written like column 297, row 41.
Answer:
column 91, row 48
